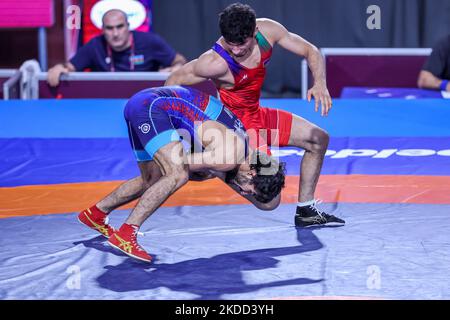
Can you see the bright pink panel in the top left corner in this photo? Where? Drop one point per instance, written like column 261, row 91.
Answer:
column 26, row 13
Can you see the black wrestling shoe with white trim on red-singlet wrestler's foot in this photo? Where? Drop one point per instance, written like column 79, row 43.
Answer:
column 310, row 215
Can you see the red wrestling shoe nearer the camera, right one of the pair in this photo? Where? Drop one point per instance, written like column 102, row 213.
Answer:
column 125, row 240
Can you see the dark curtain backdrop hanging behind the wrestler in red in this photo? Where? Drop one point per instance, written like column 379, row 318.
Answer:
column 190, row 26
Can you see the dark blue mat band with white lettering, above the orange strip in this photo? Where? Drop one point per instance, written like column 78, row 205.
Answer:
column 32, row 161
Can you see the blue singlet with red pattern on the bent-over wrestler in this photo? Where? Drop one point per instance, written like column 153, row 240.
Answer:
column 155, row 116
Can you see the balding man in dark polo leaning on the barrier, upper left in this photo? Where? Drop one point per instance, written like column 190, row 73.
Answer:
column 120, row 49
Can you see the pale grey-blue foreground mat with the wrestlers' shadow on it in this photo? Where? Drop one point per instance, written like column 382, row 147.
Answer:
column 231, row 252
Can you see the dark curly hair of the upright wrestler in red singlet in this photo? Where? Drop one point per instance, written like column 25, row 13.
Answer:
column 237, row 22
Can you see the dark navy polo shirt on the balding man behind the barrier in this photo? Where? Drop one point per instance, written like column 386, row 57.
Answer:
column 150, row 53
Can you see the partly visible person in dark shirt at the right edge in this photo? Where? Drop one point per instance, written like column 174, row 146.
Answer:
column 435, row 73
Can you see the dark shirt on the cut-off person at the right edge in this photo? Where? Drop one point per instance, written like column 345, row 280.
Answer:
column 438, row 63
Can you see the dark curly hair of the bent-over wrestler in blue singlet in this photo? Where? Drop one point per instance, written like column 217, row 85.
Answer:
column 269, row 178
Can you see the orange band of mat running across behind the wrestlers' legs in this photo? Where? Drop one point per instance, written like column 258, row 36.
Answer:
column 63, row 198
